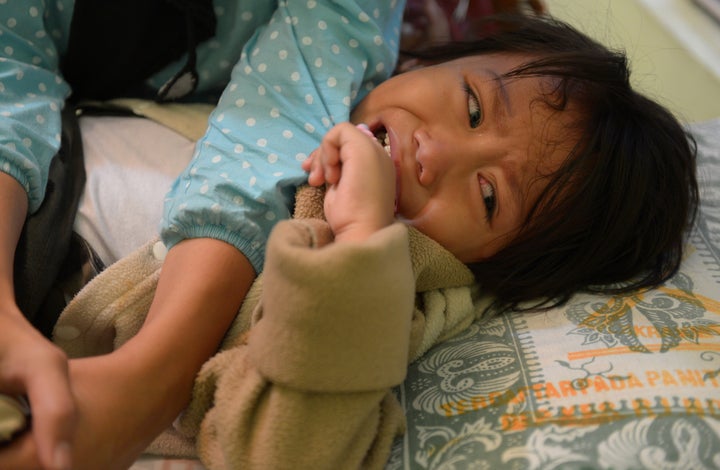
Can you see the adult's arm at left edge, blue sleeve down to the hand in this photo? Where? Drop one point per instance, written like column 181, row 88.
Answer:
column 31, row 98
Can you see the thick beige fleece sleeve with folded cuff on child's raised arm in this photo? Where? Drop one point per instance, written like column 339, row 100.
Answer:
column 311, row 387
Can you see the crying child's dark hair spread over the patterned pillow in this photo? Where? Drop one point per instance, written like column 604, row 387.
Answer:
column 614, row 217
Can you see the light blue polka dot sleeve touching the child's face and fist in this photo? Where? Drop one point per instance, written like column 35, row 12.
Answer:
column 296, row 78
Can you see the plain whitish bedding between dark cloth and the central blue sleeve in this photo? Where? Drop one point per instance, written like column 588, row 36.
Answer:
column 131, row 163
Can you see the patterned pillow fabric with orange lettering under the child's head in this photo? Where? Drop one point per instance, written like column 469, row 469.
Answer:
column 625, row 382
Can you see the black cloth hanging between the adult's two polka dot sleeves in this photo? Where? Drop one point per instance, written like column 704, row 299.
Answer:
column 115, row 45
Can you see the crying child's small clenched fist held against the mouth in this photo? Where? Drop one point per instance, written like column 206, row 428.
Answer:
column 360, row 175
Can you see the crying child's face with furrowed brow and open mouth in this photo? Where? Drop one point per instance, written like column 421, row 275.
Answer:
column 470, row 149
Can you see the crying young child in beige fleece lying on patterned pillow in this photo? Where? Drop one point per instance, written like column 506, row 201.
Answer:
column 462, row 152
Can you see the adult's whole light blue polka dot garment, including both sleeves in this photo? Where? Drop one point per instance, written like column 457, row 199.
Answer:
column 304, row 64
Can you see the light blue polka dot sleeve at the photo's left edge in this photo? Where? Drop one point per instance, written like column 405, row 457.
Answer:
column 32, row 92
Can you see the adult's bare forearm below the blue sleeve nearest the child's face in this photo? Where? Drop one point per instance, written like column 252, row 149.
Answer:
column 124, row 399
